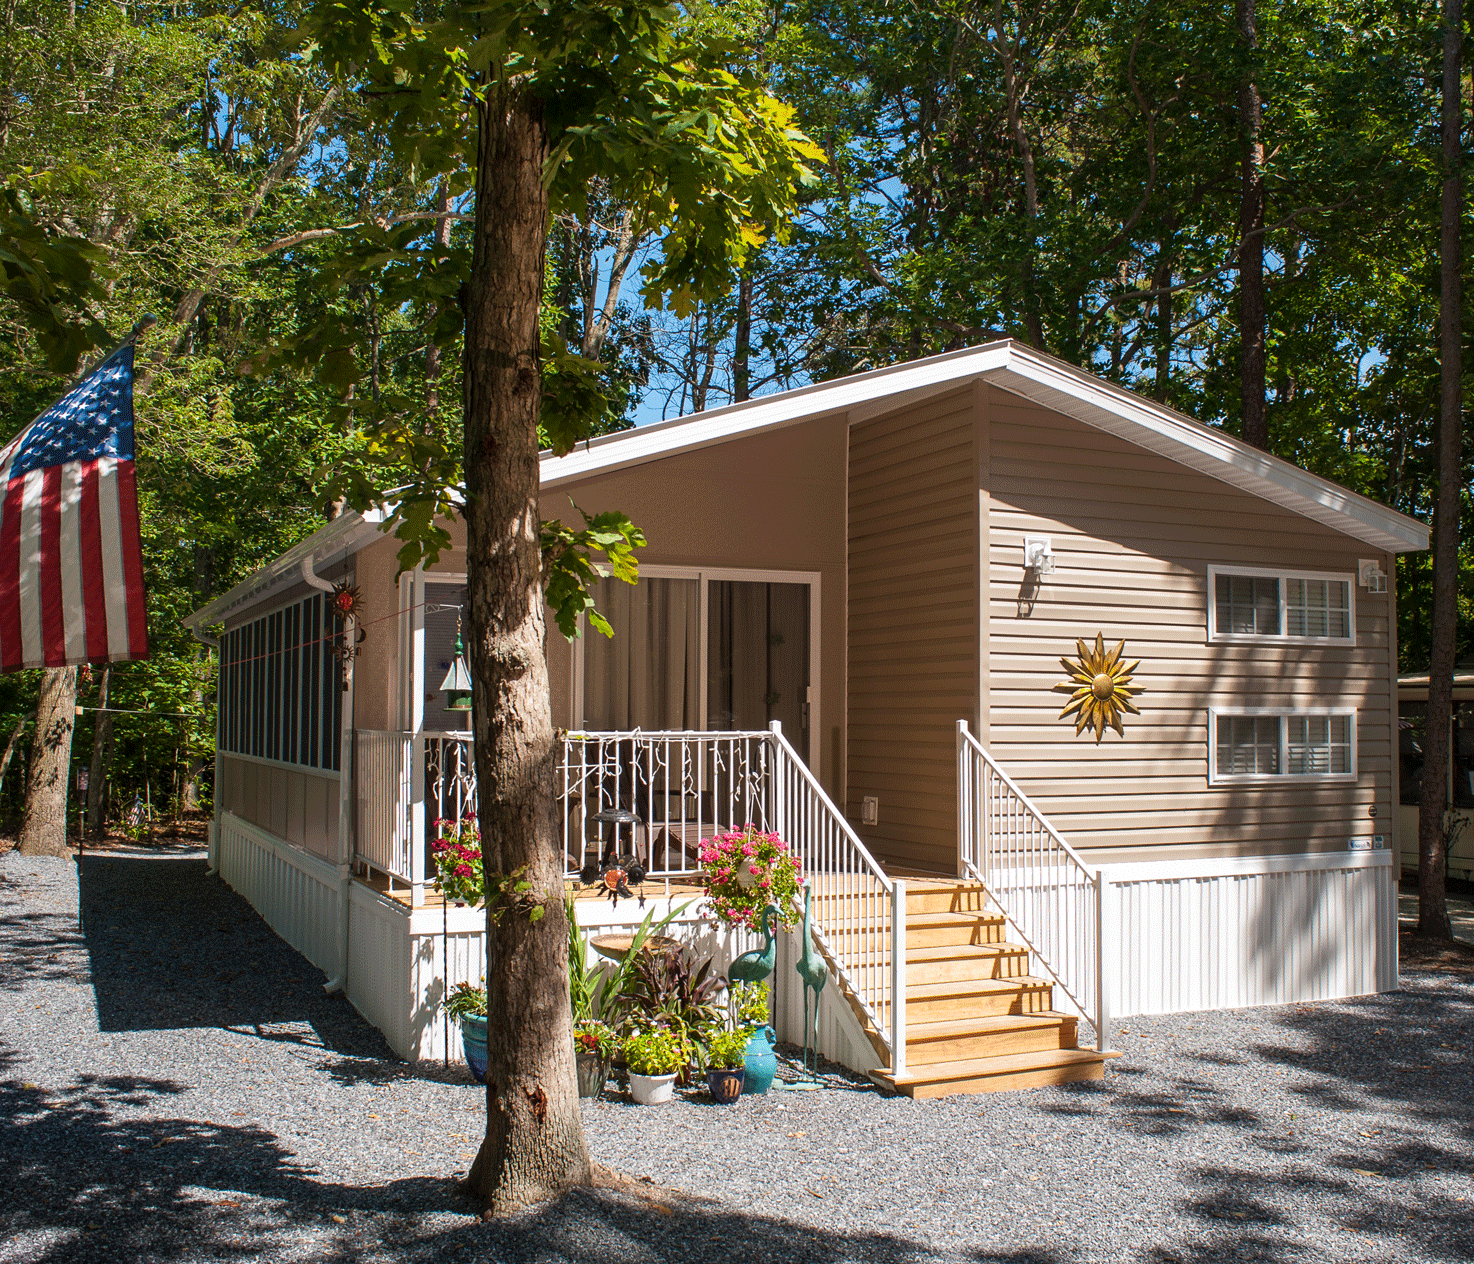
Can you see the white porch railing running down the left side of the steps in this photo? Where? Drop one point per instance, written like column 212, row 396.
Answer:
column 657, row 796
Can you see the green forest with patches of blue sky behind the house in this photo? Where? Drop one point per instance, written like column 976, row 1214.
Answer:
column 1069, row 176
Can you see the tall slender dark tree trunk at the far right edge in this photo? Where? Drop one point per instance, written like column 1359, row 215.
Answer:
column 1433, row 911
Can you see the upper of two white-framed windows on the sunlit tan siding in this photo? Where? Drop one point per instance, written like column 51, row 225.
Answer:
column 1248, row 603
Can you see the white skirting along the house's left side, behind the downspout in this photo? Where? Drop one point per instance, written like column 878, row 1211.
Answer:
column 296, row 893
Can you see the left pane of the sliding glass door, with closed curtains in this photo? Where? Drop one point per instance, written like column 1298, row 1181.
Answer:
column 649, row 674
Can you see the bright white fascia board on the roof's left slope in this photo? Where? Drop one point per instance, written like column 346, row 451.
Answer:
column 770, row 413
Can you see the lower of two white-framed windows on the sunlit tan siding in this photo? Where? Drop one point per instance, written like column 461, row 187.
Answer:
column 1273, row 746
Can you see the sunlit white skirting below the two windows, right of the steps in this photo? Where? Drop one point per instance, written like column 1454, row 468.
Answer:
column 1217, row 935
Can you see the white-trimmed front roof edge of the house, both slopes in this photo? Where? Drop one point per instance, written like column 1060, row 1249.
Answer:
column 1034, row 376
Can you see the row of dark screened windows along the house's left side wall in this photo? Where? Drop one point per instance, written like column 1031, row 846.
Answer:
column 281, row 689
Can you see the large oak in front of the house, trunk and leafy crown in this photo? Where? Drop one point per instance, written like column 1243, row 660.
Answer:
column 539, row 102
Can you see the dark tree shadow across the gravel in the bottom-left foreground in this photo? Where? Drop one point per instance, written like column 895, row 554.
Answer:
column 86, row 1184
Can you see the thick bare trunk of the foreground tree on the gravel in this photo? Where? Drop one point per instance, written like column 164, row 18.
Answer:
column 534, row 1145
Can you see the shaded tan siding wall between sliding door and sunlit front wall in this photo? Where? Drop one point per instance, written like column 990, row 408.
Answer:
column 913, row 624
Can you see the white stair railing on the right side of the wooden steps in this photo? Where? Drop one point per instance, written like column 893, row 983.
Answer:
column 1040, row 883
